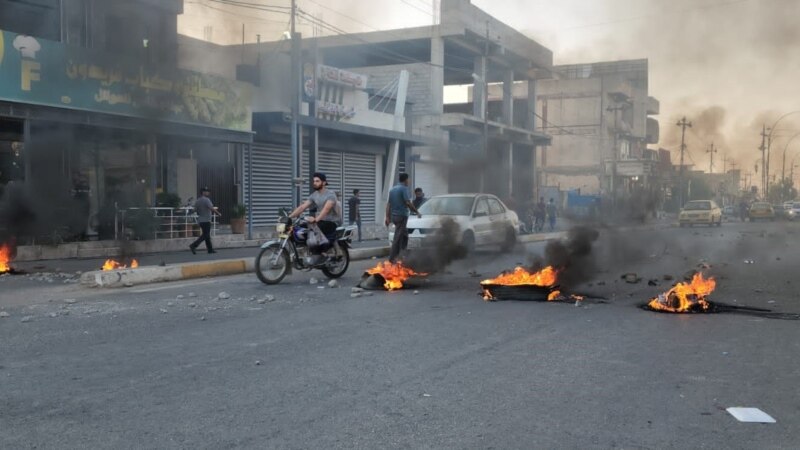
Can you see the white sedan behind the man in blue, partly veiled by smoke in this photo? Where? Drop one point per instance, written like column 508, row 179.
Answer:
column 482, row 218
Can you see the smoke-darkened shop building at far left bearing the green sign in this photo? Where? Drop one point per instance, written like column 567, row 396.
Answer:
column 96, row 116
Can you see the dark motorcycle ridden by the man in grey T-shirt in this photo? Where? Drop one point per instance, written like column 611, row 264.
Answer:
column 277, row 257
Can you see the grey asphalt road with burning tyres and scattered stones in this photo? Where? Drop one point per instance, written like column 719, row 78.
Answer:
column 175, row 366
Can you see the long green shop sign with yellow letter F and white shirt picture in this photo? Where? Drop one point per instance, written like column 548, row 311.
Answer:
column 42, row 72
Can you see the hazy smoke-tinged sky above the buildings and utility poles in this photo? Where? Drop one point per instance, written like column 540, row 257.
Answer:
column 729, row 66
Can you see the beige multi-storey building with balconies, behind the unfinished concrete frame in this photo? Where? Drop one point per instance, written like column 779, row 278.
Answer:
column 598, row 115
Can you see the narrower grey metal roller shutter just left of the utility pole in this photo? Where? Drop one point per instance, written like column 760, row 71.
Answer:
column 272, row 182
